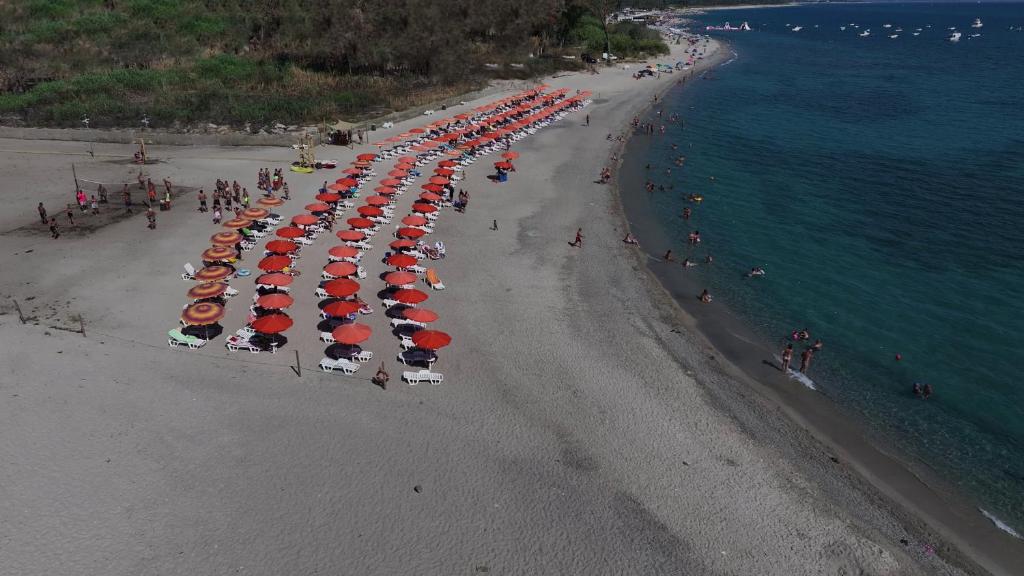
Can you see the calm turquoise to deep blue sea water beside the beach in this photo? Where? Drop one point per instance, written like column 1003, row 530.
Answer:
column 880, row 182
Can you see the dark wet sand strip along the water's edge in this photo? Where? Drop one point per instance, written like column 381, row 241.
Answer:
column 915, row 496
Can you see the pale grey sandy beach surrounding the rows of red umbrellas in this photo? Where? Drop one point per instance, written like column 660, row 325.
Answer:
column 582, row 428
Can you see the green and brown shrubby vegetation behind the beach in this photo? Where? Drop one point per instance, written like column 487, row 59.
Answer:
column 262, row 62
